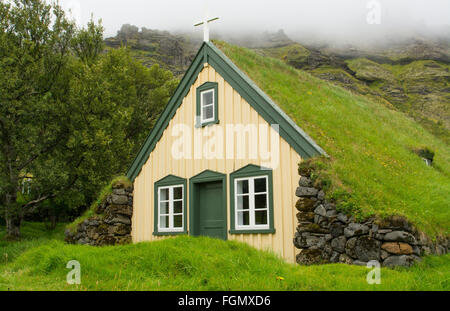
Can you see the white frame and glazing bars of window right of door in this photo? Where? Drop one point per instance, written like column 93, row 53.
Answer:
column 251, row 202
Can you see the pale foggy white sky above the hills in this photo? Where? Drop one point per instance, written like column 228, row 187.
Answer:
column 325, row 19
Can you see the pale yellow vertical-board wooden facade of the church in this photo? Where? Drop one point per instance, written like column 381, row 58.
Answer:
column 232, row 109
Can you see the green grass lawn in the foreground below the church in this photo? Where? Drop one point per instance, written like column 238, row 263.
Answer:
column 186, row 263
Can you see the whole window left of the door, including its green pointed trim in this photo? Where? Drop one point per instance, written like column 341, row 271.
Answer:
column 170, row 206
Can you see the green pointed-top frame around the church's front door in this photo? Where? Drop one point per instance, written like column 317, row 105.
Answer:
column 204, row 177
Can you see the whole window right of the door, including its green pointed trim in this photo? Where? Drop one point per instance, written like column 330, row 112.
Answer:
column 251, row 200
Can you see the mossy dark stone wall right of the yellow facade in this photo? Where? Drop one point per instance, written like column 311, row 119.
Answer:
column 327, row 236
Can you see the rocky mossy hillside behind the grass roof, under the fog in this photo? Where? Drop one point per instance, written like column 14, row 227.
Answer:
column 413, row 78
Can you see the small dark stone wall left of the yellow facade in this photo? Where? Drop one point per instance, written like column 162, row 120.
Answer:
column 111, row 224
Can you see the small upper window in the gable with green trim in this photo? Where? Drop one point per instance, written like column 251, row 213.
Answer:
column 207, row 98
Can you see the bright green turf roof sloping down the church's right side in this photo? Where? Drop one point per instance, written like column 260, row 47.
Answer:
column 370, row 145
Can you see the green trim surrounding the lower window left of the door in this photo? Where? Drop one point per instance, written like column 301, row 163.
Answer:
column 170, row 181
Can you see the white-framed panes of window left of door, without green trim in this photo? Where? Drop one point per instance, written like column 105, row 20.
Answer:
column 171, row 209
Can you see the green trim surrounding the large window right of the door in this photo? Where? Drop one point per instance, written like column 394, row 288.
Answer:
column 250, row 171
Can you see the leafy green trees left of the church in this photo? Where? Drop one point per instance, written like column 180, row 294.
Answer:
column 71, row 116
